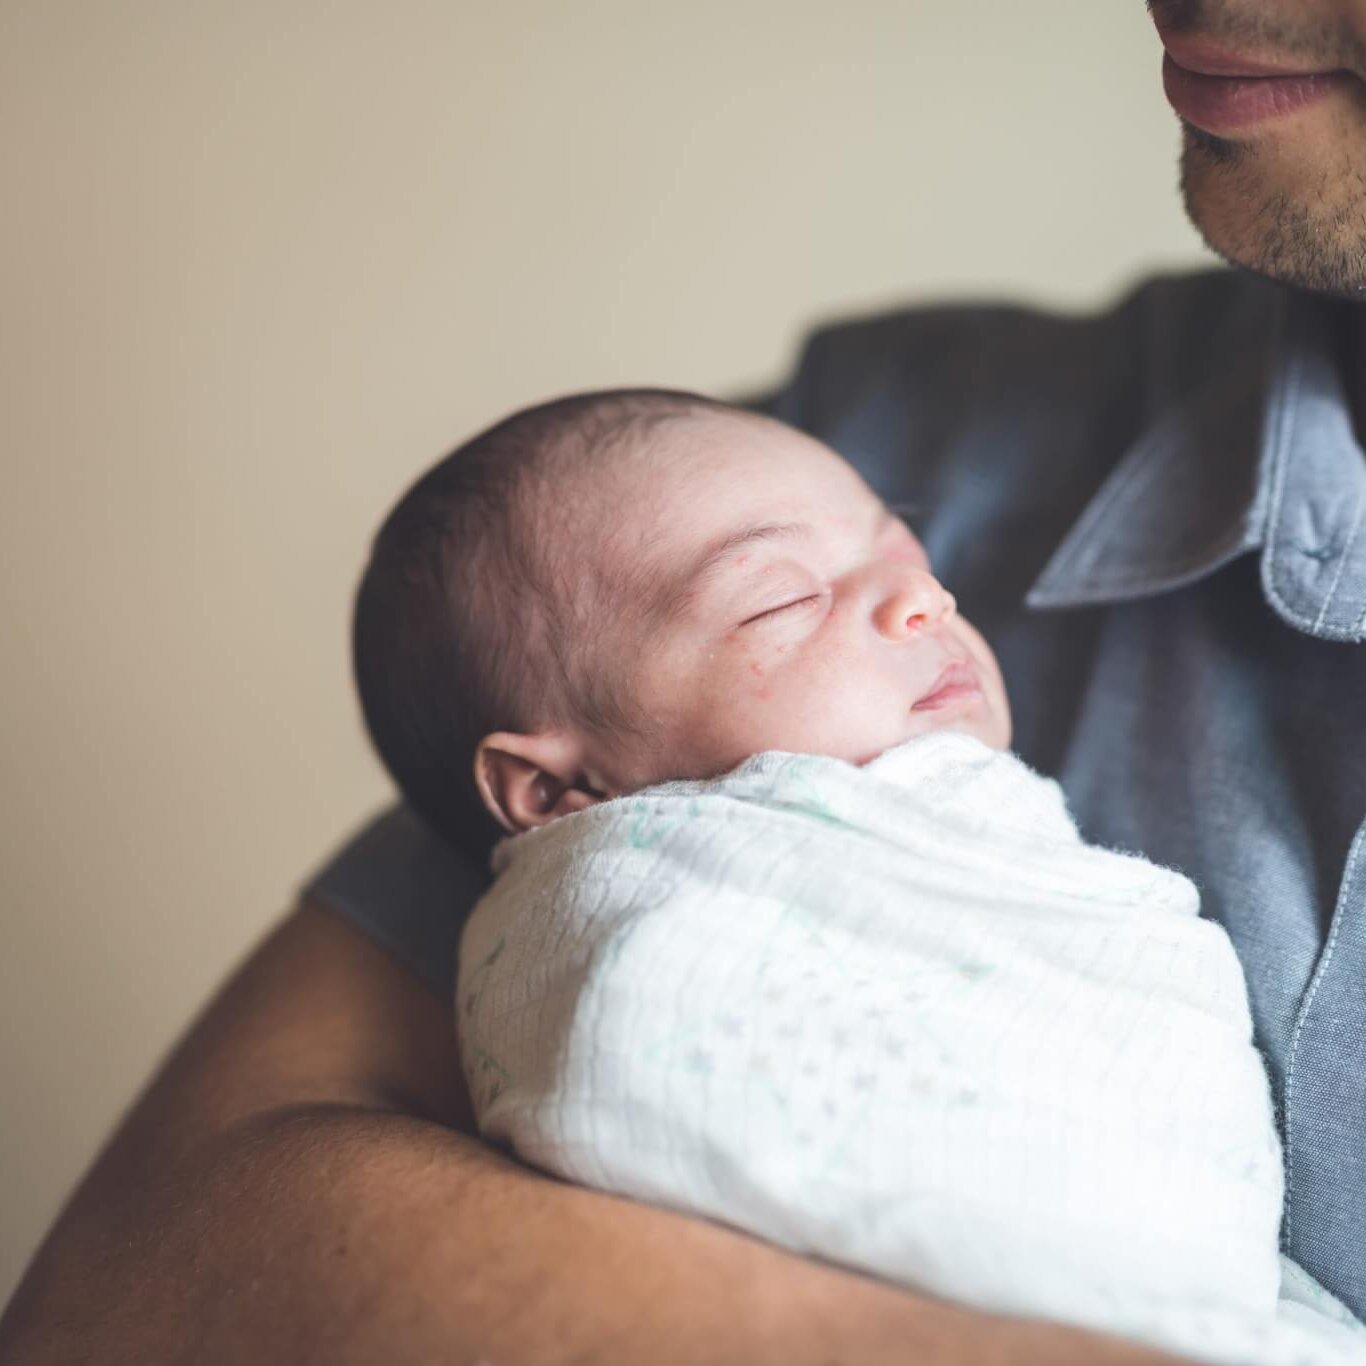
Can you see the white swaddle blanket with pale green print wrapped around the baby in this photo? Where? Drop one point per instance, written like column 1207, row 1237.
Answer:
column 905, row 1018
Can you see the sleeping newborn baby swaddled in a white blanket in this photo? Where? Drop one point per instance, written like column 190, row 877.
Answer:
column 813, row 953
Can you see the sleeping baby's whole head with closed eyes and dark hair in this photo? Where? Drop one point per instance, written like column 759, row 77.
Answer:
column 615, row 589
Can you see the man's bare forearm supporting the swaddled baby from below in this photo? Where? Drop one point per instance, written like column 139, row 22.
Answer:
column 344, row 1236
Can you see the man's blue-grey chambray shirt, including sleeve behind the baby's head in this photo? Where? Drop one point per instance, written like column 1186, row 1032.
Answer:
column 1158, row 517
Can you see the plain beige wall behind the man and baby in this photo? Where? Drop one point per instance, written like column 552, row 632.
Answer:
column 262, row 263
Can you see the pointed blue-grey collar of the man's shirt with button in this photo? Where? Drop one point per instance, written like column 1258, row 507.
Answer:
column 1260, row 456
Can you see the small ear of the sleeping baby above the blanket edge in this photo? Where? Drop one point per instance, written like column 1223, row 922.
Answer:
column 529, row 781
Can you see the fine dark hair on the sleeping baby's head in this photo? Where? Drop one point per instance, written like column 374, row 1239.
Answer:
column 462, row 626
